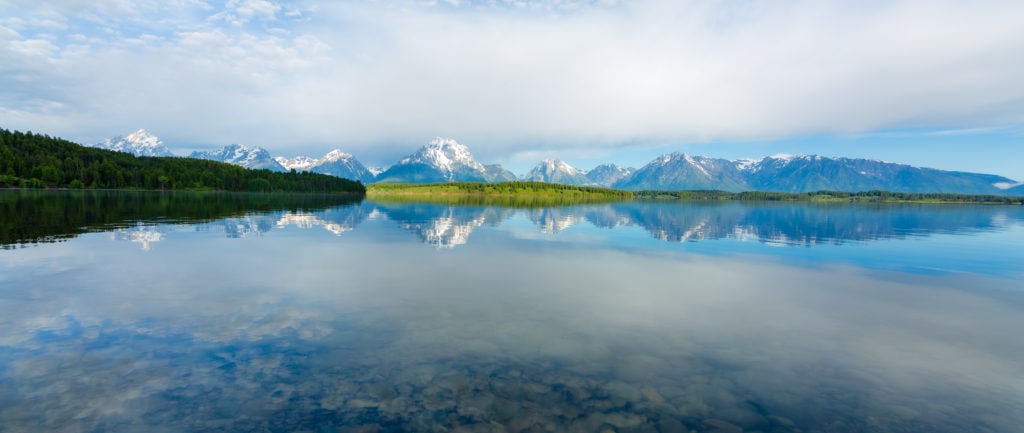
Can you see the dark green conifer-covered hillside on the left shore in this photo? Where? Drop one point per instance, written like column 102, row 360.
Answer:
column 37, row 161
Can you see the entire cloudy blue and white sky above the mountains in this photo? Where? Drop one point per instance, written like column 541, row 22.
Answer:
column 934, row 83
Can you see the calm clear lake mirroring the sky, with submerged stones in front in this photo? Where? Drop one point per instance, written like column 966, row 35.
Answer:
column 148, row 313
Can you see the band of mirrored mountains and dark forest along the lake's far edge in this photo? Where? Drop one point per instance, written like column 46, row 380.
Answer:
column 448, row 226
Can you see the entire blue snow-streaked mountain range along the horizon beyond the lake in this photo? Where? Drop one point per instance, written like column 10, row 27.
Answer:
column 445, row 160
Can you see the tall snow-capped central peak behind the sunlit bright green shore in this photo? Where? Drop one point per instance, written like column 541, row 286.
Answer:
column 444, row 160
